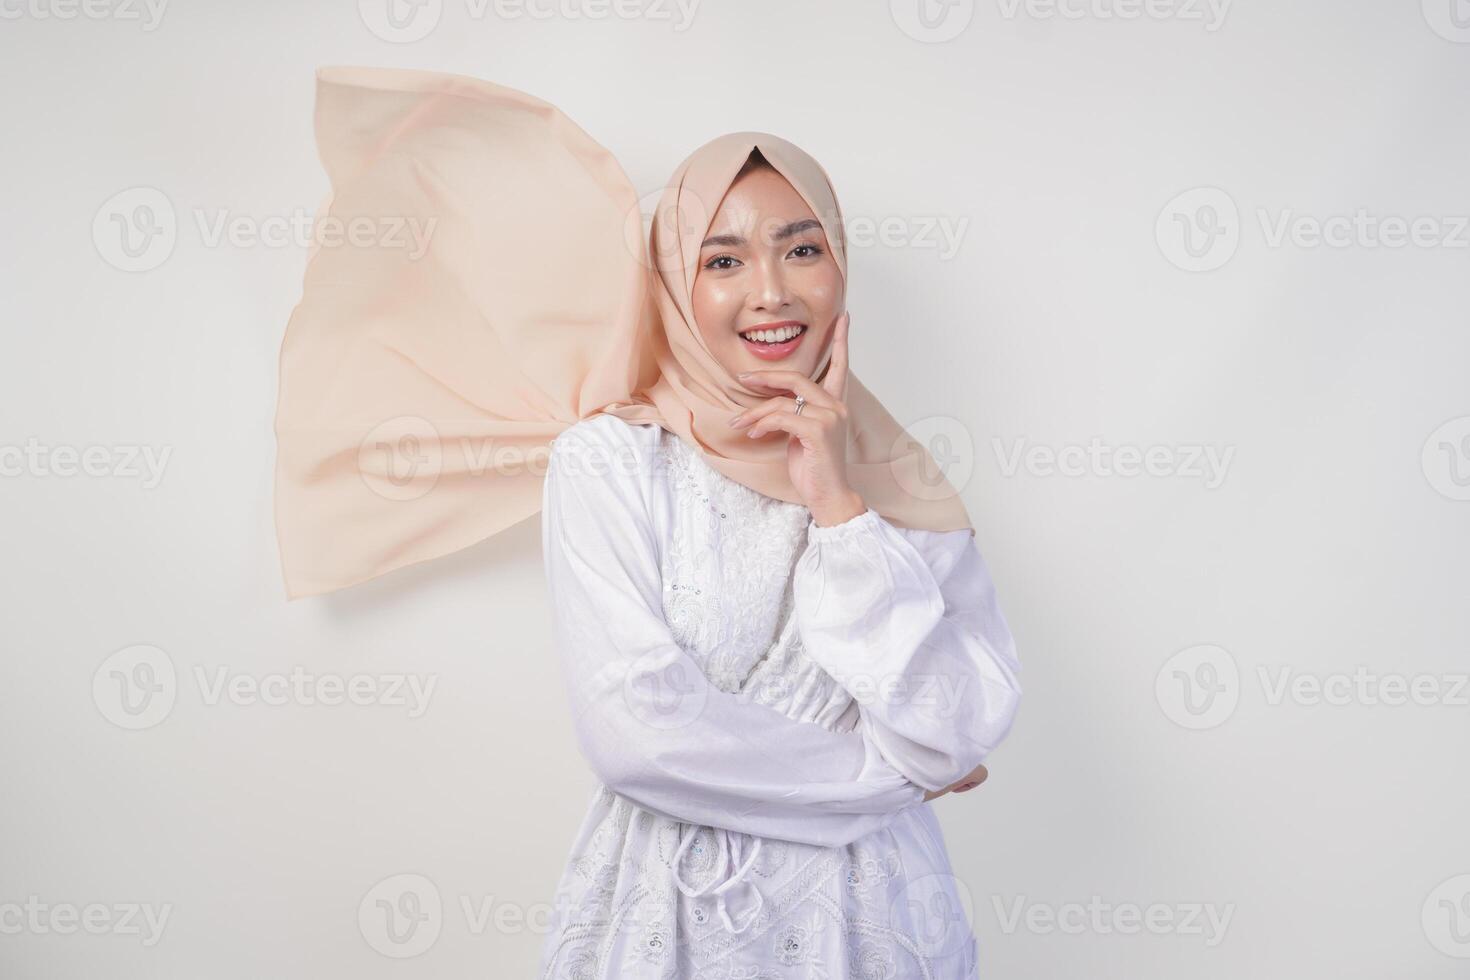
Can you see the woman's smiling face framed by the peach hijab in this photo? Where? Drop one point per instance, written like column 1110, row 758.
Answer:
column 767, row 267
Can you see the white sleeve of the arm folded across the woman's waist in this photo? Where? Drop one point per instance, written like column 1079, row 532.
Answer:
column 648, row 721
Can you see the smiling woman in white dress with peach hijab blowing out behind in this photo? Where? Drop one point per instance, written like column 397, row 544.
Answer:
column 778, row 637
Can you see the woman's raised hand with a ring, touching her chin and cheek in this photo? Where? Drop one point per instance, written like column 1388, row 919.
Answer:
column 817, row 449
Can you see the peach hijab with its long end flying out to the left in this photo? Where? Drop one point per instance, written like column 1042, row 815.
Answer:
column 481, row 280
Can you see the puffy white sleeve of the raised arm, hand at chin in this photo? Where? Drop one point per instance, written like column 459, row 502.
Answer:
column 909, row 624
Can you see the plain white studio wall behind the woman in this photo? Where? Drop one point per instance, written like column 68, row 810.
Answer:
column 1074, row 146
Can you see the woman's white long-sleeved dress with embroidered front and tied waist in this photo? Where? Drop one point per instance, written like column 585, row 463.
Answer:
column 765, row 703
